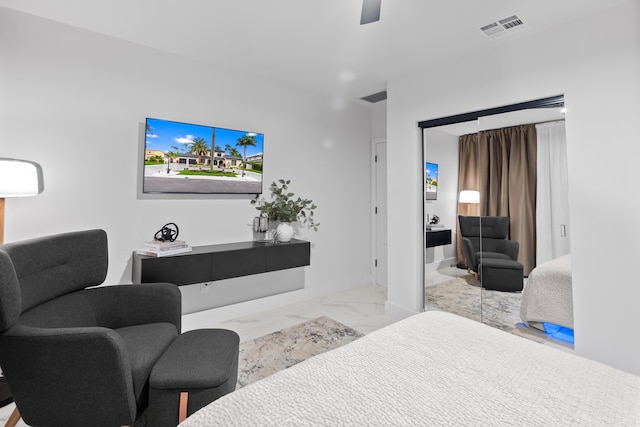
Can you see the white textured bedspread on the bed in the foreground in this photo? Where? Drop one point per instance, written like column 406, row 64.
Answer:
column 434, row 368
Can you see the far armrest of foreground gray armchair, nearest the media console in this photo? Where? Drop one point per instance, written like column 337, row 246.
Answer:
column 118, row 306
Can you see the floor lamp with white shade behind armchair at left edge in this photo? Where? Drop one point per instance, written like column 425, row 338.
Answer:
column 18, row 178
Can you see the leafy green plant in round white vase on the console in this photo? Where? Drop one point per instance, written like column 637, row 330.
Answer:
column 283, row 209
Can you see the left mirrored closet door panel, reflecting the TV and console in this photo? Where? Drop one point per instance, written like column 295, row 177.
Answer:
column 448, row 284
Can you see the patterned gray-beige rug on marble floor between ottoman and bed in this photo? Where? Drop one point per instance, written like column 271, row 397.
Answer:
column 279, row 350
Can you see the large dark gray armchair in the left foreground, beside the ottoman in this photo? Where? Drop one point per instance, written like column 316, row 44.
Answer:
column 74, row 356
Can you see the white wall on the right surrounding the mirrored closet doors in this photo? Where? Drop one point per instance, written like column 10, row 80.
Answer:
column 598, row 73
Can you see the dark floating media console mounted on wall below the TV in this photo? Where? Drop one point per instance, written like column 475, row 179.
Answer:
column 218, row 262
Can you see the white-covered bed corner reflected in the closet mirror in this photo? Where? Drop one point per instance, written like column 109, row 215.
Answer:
column 548, row 295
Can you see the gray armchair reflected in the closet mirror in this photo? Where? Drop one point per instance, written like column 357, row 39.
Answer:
column 486, row 237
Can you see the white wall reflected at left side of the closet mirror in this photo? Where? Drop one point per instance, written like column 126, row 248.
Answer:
column 442, row 148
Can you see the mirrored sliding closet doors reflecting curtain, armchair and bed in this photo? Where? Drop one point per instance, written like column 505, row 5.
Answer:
column 511, row 227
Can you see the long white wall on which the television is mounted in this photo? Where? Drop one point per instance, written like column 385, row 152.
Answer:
column 75, row 102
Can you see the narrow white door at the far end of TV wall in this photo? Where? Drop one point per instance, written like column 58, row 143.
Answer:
column 380, row 212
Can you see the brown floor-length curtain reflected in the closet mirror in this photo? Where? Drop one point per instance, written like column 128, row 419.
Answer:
column 506, row 179
